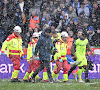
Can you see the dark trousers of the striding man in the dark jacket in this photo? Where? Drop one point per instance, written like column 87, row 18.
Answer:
column 43, row 64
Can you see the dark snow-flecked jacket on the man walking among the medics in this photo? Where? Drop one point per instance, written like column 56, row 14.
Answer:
column 44, row 46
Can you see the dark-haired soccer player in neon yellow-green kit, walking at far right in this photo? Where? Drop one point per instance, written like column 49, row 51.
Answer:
column 80, row 44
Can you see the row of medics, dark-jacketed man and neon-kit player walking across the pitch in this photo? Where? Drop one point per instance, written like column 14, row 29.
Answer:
column 40, row 49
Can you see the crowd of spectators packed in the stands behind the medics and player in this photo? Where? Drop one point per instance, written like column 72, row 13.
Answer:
column 59, row 15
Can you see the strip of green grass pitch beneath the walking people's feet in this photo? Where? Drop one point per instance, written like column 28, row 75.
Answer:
column 5, row 84
